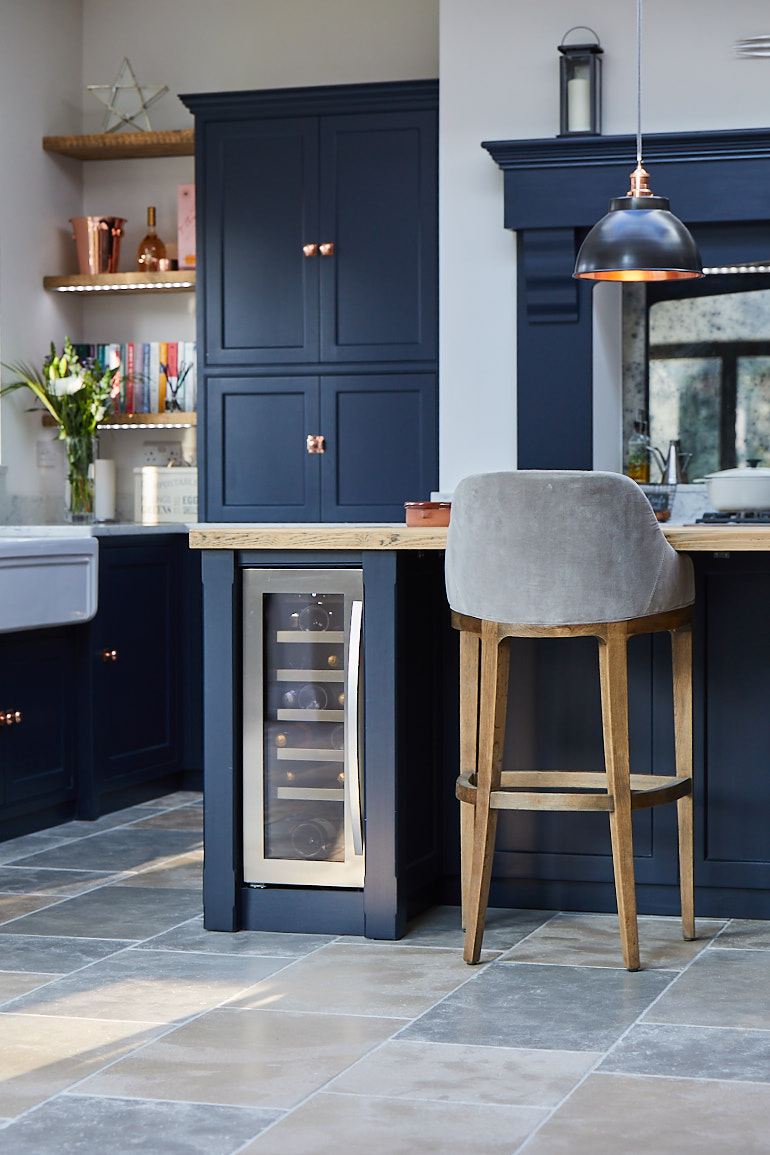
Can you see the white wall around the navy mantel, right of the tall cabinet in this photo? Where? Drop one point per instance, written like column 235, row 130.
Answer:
column 499, row 69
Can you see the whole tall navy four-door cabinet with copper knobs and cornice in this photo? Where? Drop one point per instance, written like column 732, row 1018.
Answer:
column 318, row 303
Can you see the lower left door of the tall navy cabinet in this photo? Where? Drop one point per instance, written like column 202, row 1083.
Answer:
column 259, row 468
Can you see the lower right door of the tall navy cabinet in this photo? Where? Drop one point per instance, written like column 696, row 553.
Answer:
column 382, row 436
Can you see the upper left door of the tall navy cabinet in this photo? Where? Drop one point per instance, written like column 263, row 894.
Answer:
column 260, row 204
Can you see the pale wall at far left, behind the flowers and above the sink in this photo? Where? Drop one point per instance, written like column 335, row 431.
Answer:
column 40, row 93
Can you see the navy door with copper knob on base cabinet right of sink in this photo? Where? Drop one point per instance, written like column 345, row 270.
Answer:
column 137, row 695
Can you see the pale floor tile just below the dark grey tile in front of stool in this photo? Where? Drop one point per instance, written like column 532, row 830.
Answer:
column 448, row 1072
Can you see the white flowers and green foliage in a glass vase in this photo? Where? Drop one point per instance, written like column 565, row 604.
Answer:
column 78, row 394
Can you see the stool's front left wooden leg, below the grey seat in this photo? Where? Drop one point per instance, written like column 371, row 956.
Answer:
column 492, row 728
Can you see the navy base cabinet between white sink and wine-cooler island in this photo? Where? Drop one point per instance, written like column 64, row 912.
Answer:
column 141, row 649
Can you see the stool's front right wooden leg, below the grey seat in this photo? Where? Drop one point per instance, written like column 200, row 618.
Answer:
column 614, row 668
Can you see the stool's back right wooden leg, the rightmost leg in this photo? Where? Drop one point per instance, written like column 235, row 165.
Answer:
column 682, row 643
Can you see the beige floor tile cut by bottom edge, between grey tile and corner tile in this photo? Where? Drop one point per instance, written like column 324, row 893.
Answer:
column 330, row 1124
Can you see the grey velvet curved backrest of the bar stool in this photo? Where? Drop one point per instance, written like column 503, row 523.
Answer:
column 560, row 548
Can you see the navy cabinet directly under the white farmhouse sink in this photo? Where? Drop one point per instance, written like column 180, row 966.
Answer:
column 39, row 712
